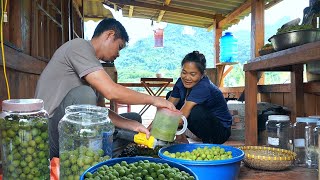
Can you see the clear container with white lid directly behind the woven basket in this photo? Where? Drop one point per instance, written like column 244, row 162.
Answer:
column 279, row 132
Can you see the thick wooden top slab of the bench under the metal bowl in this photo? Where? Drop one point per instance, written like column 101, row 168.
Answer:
column 283, row 60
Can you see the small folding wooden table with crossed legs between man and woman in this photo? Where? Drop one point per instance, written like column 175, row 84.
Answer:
column 150, row 82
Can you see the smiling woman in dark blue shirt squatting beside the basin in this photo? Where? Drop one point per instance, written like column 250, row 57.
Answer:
column 201, row 102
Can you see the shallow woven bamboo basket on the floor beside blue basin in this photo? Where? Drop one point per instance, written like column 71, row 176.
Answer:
column 268, row 158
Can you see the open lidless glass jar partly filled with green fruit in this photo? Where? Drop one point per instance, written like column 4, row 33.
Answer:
column 85, row 139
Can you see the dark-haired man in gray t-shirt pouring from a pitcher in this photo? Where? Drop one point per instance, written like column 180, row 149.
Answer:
column 74, row 75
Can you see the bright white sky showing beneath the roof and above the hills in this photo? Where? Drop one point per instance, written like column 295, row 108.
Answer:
column 141, row 28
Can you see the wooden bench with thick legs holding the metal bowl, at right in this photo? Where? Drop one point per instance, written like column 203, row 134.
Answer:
column 291, row 60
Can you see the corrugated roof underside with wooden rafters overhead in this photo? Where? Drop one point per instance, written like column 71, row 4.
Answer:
column 198, row 13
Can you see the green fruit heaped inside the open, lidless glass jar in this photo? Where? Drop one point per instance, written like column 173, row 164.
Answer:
column 74, row 163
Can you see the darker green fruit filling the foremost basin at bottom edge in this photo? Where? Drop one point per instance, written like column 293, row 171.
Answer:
column 140, row 170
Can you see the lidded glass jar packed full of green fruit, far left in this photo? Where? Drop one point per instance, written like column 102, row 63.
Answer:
column 24, row 139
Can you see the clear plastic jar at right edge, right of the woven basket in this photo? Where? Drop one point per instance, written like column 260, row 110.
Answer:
column 304, row 141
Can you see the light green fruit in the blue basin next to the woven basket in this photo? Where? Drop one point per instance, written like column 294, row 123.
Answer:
column 202, row 154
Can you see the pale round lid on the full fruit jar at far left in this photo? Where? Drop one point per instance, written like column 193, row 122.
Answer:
column 22, row 105
